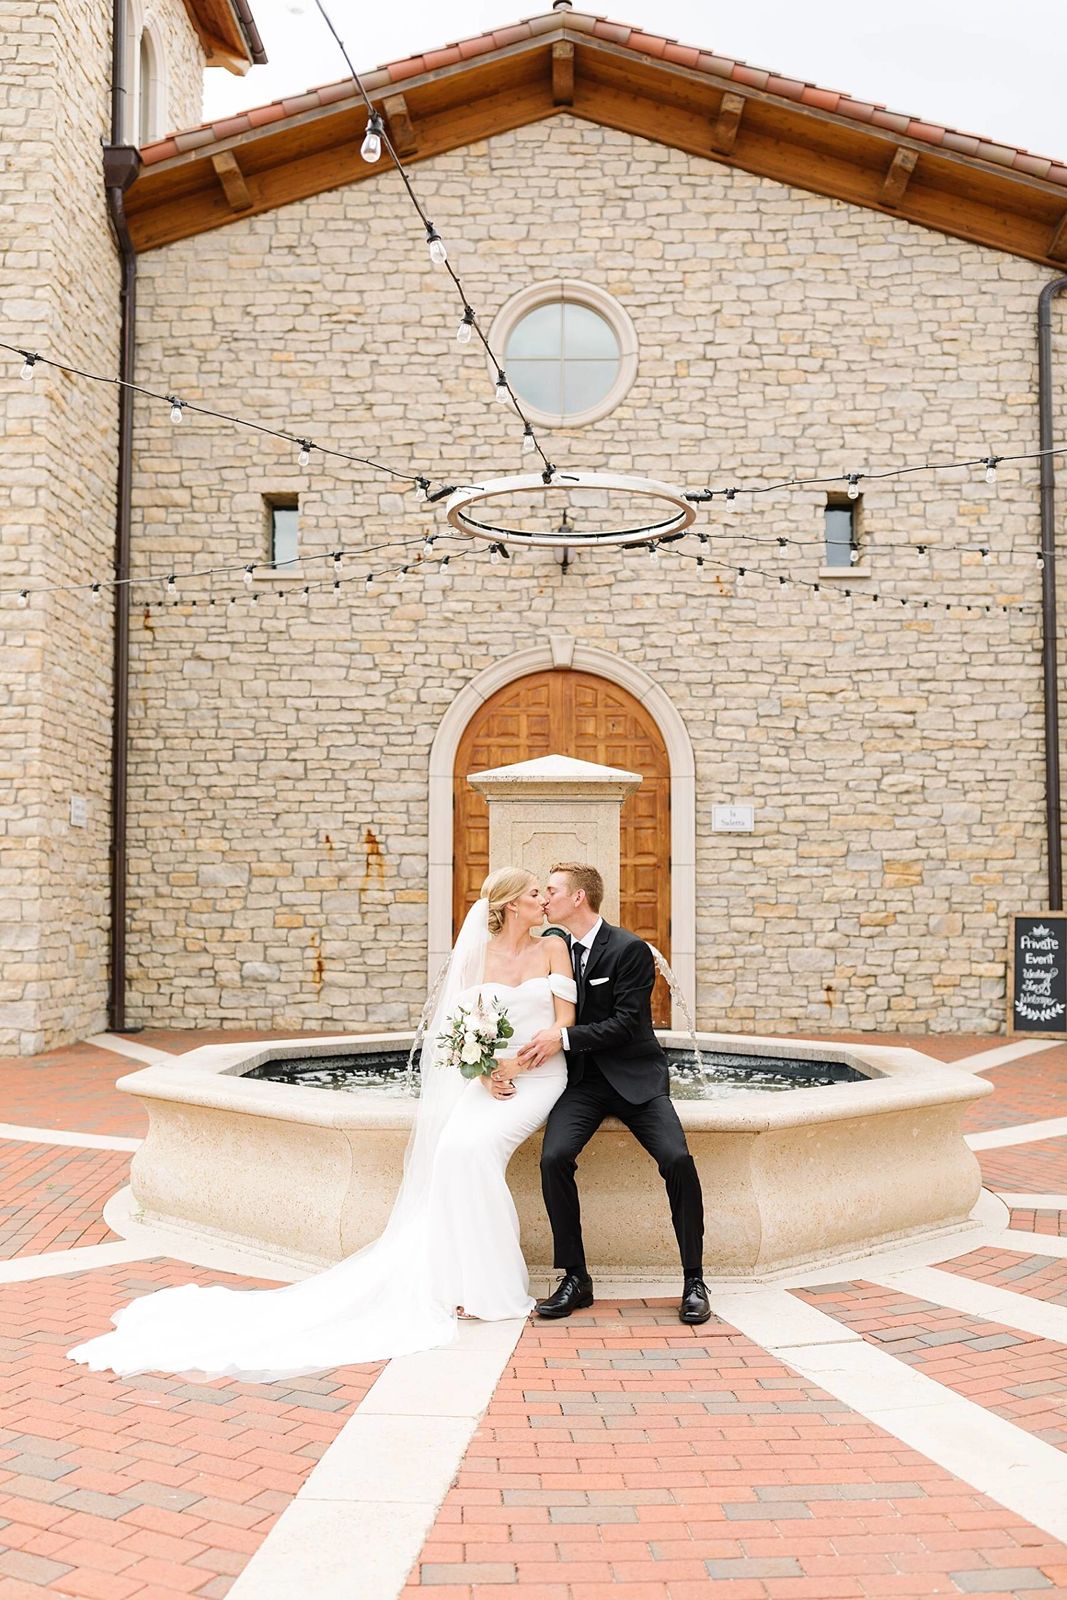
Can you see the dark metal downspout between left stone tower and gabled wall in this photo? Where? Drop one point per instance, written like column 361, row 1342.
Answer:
column 122, row 164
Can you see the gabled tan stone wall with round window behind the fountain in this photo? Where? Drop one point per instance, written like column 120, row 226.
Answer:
column 289, row 866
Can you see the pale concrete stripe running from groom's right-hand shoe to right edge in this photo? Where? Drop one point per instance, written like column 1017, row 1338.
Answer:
column 994, row 1457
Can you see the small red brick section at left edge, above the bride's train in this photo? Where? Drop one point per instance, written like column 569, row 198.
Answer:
column 52, row 1196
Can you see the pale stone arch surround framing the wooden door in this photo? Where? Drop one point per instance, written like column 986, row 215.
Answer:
column 565, row 654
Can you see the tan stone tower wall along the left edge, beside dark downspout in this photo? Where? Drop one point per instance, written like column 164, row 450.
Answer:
column 60, row 292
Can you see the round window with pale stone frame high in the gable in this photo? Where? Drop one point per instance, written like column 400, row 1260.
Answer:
column 569, row 350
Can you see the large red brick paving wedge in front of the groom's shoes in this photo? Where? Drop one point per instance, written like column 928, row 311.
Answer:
column 628, row 1457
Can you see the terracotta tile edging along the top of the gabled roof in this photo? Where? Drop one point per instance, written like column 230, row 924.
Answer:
column 621, row 36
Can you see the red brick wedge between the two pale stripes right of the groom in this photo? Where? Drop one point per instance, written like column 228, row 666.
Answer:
column 1017, row 1375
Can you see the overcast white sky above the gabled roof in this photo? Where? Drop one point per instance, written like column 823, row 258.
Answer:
column 973, row 65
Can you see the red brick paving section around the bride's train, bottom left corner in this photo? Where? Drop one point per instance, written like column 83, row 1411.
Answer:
column 150, row 1487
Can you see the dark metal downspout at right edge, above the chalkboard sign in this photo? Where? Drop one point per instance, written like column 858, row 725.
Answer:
column 1049, row 593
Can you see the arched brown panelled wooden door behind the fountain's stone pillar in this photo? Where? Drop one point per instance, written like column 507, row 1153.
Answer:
column 593, row 721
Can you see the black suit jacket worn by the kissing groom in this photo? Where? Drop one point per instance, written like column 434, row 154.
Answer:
column 615, row 1018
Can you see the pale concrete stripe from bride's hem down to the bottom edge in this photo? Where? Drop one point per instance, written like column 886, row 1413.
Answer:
column 359, row 1522
